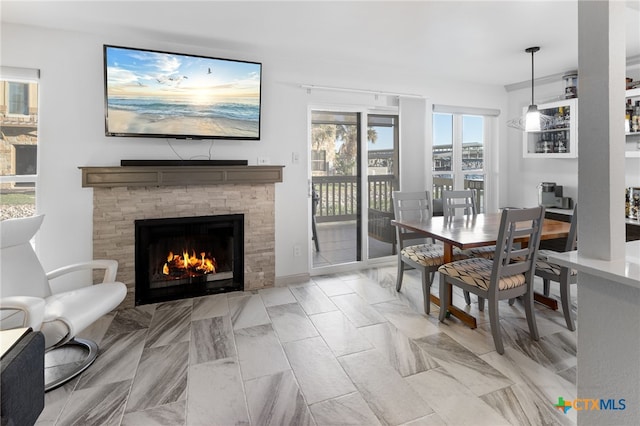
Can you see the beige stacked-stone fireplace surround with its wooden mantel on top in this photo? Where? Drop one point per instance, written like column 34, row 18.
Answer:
column 123, row 194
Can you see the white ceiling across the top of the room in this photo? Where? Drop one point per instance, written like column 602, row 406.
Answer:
column 474, row 41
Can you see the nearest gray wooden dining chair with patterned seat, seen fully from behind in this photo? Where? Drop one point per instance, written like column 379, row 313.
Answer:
column 507, row 276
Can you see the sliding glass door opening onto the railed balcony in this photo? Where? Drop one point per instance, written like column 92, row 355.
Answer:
column 348, row 224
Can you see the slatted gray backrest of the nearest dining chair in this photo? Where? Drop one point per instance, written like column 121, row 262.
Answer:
column 511, row 256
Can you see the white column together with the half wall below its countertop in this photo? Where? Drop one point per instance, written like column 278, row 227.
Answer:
column 608, row 311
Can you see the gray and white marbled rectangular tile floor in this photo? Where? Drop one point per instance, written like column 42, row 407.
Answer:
column 344, row 349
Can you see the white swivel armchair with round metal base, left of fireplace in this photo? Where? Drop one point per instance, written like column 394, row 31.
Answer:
column 28, row 298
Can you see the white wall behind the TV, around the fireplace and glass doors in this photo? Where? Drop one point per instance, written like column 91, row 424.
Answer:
column 72, row 128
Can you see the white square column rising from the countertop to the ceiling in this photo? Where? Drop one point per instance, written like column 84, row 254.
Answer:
column 601, row 73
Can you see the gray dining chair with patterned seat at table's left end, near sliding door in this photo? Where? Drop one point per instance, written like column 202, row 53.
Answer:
column 423, row 256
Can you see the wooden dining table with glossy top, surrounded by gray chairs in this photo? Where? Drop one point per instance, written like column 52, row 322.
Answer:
column 471, row 231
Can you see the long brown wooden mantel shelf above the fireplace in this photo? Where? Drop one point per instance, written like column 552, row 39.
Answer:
column 178, row 175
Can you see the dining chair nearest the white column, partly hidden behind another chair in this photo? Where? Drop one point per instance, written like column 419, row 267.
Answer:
column 550, row 271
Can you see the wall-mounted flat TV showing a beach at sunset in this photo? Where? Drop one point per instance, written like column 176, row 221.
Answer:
column 161, row 94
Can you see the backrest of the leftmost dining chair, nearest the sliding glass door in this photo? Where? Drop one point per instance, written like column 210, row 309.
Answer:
column 413, row 206
